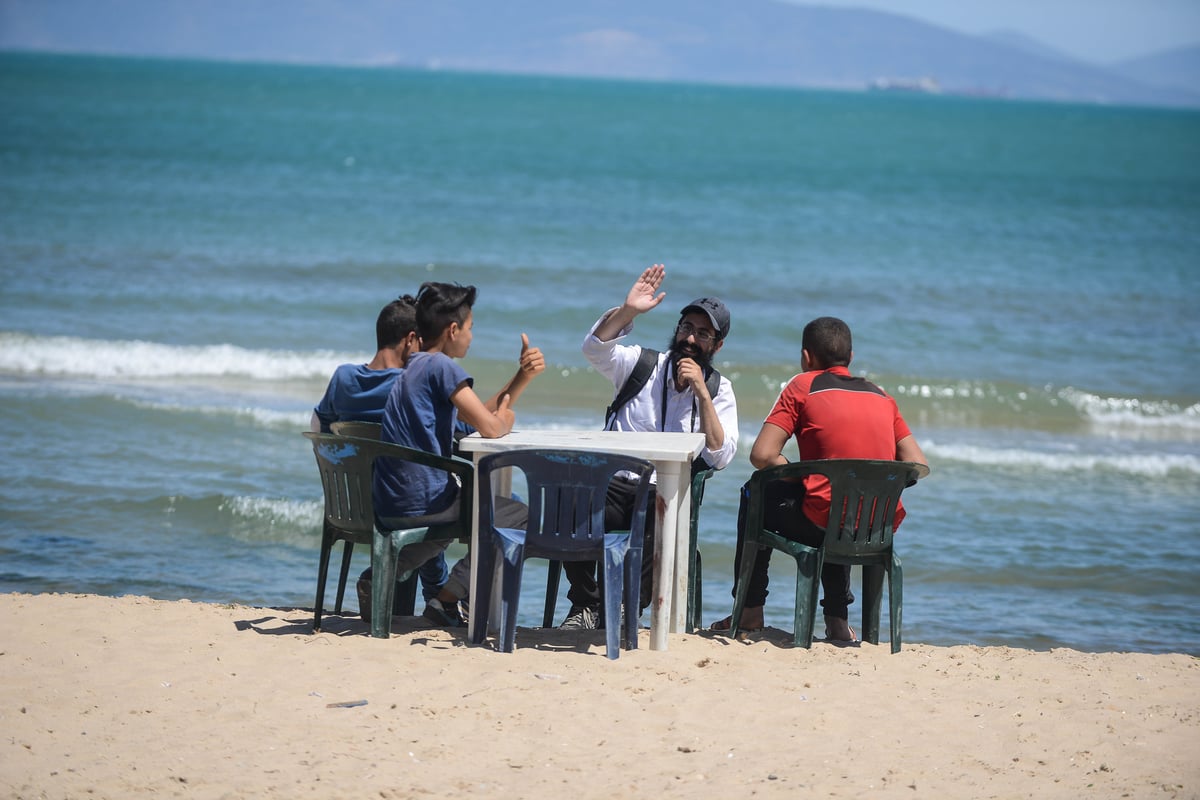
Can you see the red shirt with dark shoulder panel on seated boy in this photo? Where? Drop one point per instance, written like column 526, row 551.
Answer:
column 835, row 416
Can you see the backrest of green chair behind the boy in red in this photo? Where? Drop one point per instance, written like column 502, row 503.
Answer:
column 865, row 495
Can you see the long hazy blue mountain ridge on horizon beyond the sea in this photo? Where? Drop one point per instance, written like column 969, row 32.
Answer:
column 758, row 43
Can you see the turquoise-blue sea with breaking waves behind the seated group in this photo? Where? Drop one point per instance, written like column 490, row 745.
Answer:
column 189, row 249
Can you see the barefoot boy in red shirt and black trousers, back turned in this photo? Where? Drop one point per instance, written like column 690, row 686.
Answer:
column 833, row 416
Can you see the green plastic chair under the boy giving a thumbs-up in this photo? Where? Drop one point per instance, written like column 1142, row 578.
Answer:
column 347, row 467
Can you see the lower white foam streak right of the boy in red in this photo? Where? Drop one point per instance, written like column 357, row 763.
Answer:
column 1143, row 465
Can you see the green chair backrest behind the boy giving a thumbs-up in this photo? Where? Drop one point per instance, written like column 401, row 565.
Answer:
column 346, row 473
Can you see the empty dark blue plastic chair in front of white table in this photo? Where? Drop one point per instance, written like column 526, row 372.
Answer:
column 567, row 494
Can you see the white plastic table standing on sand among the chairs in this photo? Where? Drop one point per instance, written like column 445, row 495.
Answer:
column 673, row 455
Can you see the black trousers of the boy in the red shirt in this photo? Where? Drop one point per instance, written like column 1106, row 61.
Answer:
column 784, row 515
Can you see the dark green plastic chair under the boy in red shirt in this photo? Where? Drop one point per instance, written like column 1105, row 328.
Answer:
column 865, row 497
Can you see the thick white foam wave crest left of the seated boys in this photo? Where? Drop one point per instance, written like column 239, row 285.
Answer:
column 73, row 357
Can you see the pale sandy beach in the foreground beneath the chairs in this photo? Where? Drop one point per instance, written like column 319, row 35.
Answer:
column 129, row 697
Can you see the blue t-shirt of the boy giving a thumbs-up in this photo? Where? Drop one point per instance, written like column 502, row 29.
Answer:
column 419, row 414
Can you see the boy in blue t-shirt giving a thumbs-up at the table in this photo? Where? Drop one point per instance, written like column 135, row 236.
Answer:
column 428, row 402
